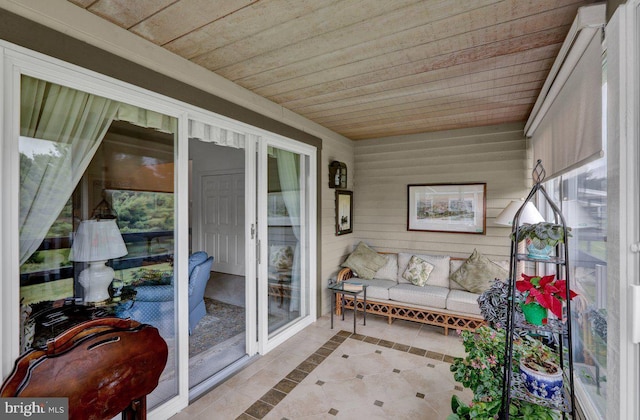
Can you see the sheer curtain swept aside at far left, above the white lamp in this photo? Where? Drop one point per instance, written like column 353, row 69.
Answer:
column 61, row 128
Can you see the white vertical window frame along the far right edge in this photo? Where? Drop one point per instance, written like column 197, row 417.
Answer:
column 623, row 151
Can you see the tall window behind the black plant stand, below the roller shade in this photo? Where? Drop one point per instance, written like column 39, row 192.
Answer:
column 582, row 197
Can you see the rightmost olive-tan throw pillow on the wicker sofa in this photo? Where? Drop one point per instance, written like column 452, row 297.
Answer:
column 477, row 273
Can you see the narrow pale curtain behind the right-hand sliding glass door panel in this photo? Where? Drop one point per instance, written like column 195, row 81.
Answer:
column 288, row 172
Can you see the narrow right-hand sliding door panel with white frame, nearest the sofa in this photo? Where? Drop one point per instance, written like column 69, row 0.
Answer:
column 285, row 211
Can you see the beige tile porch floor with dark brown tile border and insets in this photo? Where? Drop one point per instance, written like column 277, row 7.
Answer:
column 398, row 371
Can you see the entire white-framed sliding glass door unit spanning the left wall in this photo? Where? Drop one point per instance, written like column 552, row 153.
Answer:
column 83, row 155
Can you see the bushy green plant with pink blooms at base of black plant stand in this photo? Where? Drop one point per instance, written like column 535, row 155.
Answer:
column 482, row 371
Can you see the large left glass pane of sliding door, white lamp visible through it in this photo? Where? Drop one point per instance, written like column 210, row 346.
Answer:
column 96, row 216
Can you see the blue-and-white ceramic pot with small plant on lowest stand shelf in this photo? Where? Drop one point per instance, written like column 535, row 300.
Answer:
column 540, row 371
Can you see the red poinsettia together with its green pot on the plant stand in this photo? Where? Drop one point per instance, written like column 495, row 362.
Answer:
column 542, row 294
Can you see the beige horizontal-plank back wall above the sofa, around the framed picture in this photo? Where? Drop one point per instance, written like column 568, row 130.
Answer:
column 385, row 166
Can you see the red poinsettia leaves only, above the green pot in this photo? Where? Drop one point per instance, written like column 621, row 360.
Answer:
column 547, row 291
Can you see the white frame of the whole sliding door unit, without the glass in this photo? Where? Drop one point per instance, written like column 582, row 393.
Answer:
column 16, row 60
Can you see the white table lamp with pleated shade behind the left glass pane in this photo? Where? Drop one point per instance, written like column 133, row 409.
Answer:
column 97, row 241
